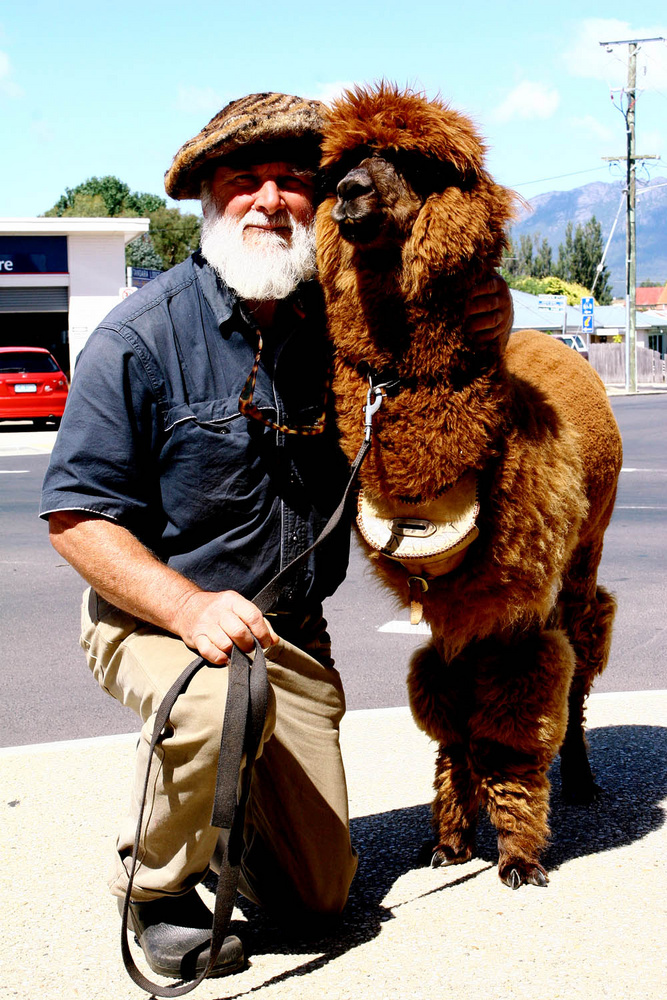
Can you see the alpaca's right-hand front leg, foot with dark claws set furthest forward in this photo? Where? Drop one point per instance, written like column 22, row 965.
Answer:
column 515, row 732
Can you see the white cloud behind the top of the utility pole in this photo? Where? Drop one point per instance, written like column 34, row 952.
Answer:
column 586, row 57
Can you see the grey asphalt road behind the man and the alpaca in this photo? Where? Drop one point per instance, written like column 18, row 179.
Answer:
column 49, row 695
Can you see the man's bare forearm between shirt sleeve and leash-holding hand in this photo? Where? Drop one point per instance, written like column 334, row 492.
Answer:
column 121, row 569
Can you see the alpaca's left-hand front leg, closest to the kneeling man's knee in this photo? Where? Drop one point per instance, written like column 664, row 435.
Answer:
column 439, row 695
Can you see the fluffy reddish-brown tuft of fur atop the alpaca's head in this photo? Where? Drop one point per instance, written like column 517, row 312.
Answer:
column 385, row 118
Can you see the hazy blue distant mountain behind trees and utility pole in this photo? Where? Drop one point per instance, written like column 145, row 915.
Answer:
column 550, row 213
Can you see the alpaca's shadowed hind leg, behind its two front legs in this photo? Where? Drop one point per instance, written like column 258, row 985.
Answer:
column 589, row 626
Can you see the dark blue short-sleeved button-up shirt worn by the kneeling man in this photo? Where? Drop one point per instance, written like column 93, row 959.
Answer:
column 152, row 437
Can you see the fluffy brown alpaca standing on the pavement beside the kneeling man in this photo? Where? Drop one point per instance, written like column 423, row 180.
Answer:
column 410, row 222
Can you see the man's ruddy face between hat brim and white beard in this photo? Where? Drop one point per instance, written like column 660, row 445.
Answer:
column 264, row 192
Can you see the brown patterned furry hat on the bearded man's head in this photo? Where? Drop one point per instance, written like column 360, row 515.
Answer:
column 281, row 123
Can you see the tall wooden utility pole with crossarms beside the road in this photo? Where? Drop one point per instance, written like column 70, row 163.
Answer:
column 631, row 234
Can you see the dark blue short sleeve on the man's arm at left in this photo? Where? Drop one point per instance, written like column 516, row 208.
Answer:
column 104, row 457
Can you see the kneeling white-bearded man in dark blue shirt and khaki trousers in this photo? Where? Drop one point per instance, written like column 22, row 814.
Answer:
column 177, row 508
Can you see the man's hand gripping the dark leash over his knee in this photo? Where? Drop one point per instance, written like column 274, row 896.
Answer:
column 212, row 623
